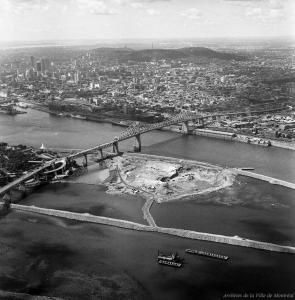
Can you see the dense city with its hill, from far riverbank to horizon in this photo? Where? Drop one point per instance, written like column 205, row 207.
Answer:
column 149, row 85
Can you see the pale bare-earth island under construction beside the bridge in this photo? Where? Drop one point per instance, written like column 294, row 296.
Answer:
column 165, row 179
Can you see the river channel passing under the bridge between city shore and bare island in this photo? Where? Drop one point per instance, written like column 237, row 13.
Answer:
column 35, row 128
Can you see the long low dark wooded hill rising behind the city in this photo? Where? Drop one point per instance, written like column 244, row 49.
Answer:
column 125, row 54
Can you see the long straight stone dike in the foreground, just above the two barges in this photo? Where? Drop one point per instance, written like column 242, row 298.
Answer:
column 237, row 241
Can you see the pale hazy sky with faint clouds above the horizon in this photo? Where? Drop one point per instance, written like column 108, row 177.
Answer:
column 35, row 20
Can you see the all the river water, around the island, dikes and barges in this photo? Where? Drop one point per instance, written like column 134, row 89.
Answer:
column 51, row 256
